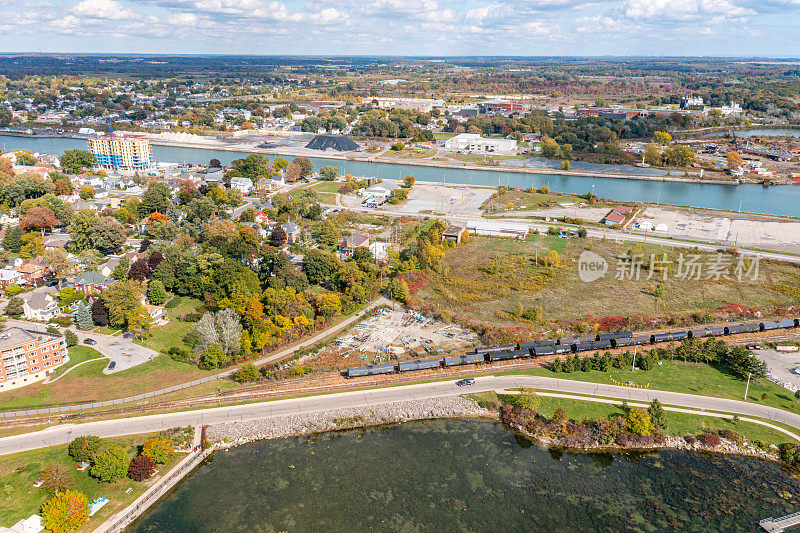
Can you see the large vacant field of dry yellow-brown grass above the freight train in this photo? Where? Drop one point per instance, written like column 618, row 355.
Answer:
column 487, row 278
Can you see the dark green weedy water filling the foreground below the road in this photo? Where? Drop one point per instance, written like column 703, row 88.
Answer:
column 452, row 475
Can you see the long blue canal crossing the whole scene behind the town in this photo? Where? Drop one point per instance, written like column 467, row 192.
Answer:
column 781, row 200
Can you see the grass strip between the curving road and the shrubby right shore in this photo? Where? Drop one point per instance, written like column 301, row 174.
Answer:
column 678, row 423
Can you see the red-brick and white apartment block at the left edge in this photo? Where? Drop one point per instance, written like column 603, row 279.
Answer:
column 29, row 356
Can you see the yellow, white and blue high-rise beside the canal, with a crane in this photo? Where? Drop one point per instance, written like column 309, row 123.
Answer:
column 121, row 151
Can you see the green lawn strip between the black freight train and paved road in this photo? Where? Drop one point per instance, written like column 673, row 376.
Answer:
column 691, row 378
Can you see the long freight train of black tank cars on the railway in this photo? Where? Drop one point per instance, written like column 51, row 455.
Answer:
column 567, row 345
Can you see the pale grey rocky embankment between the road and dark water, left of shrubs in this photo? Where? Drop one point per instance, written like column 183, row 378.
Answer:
column 231, row 434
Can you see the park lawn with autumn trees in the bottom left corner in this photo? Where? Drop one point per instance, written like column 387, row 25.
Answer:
column 19, row 471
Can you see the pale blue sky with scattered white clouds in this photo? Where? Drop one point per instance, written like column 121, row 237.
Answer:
column 768, row 28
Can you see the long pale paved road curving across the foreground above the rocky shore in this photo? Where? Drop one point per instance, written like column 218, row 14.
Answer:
column 364, row 399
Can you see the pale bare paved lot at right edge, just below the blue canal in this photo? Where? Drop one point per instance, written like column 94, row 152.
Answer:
column 769, row 233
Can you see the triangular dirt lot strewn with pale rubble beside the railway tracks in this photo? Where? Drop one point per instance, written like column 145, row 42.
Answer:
column 393, row 335
